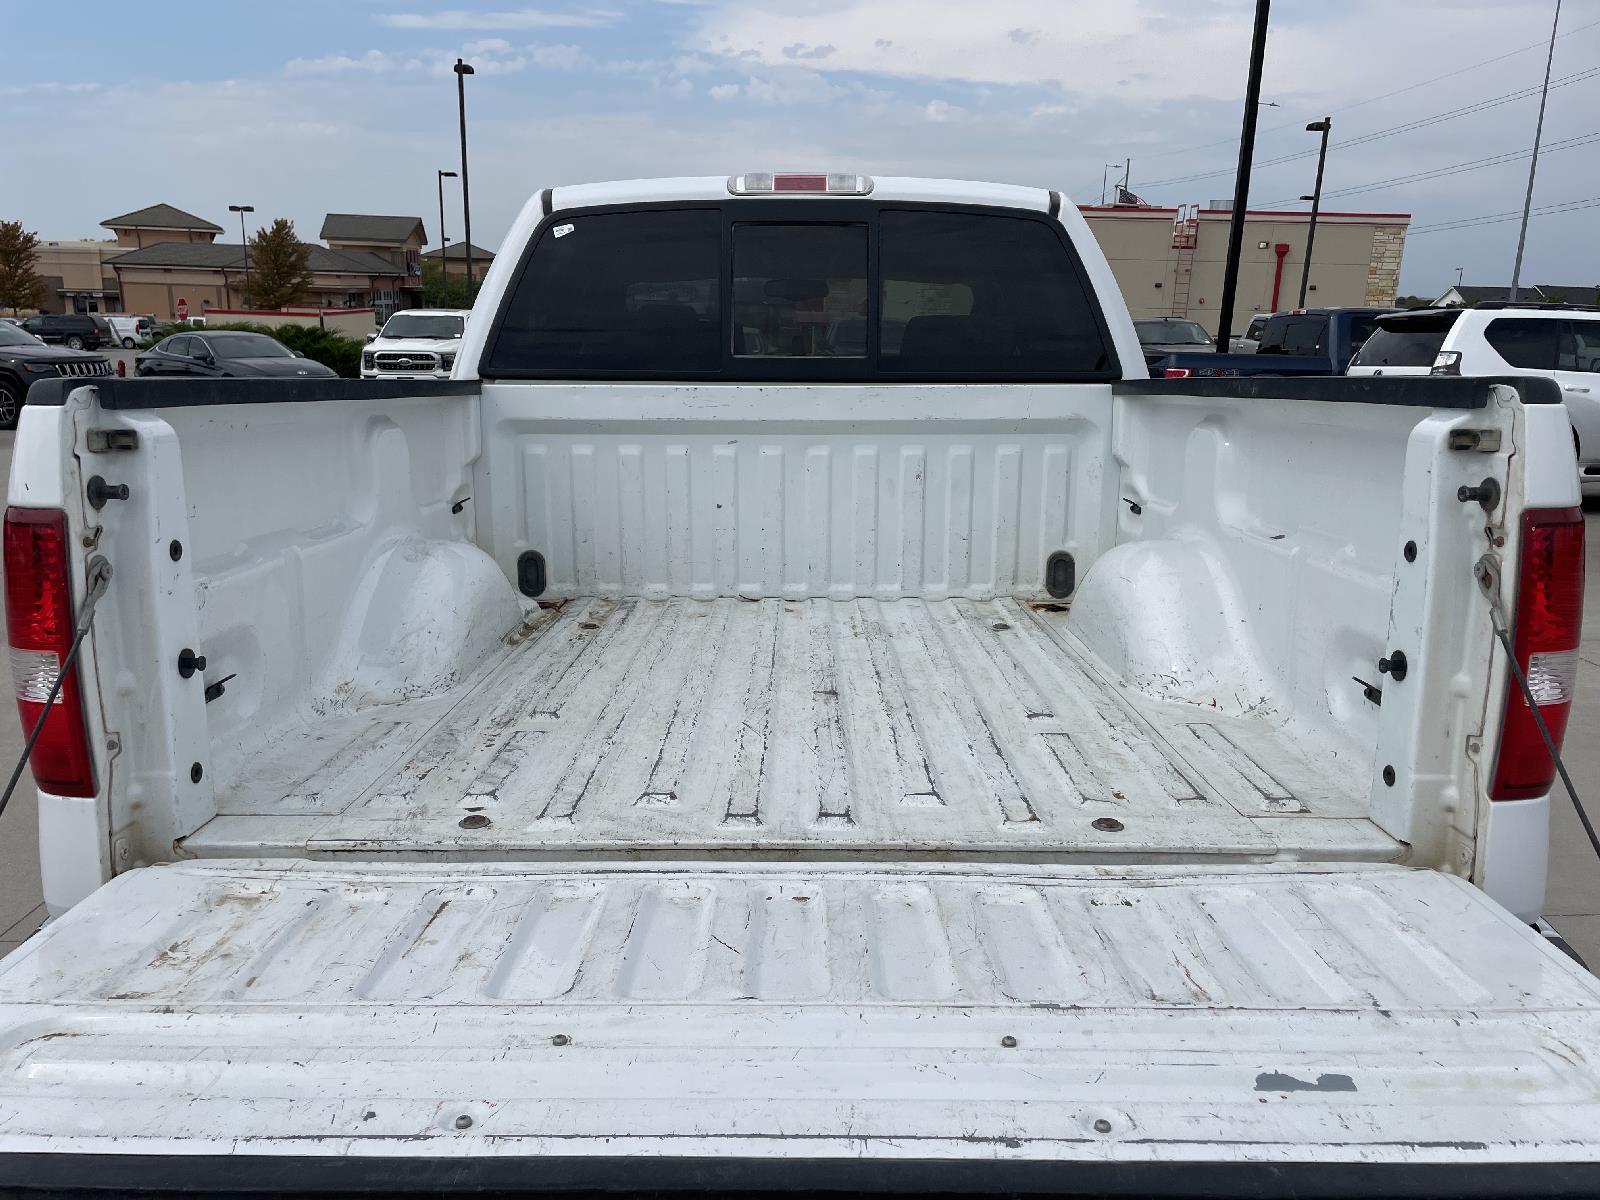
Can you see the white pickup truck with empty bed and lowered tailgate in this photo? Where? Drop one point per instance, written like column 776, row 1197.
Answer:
column 799, row 711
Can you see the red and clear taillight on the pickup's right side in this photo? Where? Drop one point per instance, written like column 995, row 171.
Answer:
column 1548, row 628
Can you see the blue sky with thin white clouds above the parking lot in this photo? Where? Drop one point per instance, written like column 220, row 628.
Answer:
column 350, row 106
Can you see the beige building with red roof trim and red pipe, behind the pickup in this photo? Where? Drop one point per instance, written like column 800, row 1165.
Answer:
column 1170, row 262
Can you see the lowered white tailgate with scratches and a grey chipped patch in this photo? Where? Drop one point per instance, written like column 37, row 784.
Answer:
column 1170, row 1031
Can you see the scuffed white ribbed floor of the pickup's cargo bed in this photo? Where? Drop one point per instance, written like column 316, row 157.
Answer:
column 953, row 727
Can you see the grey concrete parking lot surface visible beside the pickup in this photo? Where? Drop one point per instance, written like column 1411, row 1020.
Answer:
column 1572, row 900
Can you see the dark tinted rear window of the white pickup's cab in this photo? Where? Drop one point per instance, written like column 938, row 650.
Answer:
column 844, row 292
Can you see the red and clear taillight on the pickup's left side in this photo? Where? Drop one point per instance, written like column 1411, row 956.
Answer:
column 39, row 625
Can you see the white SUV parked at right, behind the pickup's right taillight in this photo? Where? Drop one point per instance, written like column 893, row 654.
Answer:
column 1556, row 342
